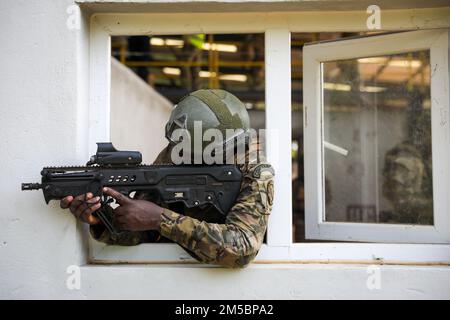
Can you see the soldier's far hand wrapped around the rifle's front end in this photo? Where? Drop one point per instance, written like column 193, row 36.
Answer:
column 82, row 207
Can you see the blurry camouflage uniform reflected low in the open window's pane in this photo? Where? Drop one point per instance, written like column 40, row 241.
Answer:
column 408, row 185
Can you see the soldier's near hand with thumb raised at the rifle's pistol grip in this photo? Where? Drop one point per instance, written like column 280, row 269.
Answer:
column 135, row 215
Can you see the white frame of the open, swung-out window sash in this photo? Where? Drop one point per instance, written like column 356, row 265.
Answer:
column 314, row 55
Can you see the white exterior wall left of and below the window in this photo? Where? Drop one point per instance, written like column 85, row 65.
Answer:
column 43, row 120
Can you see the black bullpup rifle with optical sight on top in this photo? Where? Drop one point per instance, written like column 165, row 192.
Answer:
column 192, row 185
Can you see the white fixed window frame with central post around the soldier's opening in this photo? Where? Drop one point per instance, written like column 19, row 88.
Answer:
column 277, row 28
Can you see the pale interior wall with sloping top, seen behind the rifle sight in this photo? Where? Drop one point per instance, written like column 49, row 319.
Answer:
column 138, row 113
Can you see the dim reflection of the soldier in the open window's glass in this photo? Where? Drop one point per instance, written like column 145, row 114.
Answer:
column 408, row 174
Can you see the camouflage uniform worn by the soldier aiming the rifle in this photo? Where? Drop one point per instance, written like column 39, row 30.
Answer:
column 231, row 241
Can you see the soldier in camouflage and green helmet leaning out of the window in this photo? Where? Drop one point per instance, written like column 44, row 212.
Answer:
column 231, row 241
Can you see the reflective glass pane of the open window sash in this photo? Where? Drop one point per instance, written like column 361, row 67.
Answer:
column 377, row 139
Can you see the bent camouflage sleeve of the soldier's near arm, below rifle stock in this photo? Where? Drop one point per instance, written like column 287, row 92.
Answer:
column 236, row 242
